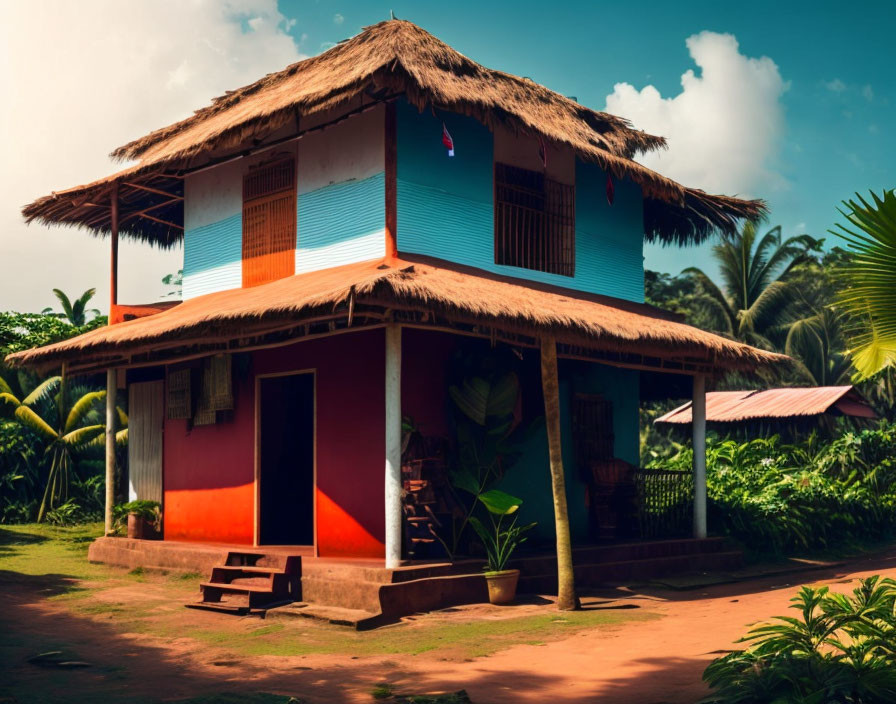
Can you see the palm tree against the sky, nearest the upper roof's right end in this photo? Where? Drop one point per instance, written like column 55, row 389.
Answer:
column 756, row 292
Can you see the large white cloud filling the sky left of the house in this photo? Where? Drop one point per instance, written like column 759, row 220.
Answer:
column 81, row 78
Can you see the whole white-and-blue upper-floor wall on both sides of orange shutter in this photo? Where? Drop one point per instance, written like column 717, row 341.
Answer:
column 347, row 152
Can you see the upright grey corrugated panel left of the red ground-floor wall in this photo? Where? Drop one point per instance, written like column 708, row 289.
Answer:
column 145, row 419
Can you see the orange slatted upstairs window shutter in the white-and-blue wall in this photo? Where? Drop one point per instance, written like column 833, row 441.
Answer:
column 269, row 222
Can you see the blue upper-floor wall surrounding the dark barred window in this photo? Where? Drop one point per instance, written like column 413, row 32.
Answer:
column 445, row 208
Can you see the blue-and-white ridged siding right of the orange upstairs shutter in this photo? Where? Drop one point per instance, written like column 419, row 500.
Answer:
column 341, row 224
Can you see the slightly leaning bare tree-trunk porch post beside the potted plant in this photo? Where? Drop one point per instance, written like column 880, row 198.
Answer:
column 566, row 592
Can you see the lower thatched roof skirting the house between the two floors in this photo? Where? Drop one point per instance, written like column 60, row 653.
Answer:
column 445, row 294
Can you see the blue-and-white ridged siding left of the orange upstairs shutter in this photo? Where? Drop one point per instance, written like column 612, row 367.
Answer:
column 213, row 257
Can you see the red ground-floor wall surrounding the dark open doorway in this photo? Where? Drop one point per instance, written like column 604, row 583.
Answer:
column 209, row 471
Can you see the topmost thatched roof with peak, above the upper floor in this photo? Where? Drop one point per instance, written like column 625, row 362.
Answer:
column 385, row 60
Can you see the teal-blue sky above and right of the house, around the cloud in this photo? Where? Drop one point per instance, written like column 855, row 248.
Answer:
column 836, row 60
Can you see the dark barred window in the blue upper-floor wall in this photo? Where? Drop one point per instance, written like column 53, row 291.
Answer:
column 535, row 221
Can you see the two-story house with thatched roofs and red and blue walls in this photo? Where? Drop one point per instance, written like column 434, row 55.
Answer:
column 350, row 226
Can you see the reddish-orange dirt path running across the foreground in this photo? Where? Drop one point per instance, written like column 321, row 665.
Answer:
column 648, row 661
